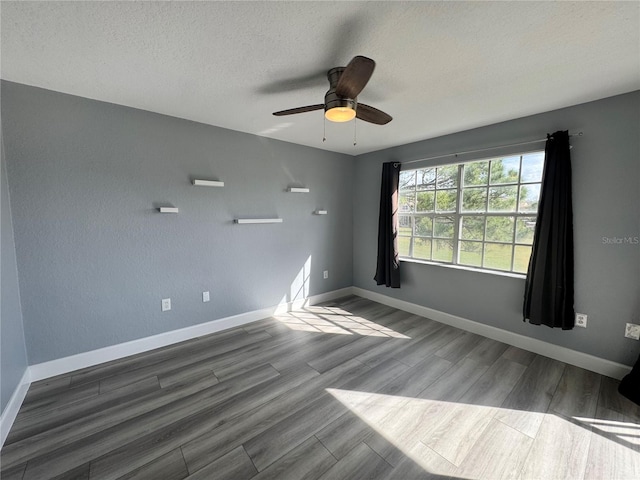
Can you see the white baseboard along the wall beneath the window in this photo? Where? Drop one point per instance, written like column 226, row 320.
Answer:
column 563, row 354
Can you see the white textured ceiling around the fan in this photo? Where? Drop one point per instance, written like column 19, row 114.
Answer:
column 442, row 67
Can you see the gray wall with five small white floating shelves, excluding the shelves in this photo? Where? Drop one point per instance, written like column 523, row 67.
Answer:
column 95, row 257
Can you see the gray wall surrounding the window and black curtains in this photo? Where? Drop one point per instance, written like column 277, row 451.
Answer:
column 606, row 176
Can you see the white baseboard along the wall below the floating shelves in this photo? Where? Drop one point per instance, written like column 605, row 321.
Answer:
column 64, row 365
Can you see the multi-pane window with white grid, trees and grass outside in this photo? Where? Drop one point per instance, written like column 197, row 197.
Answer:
column 479, row 214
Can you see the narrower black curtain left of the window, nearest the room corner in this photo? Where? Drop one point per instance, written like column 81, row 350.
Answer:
column 388, row 268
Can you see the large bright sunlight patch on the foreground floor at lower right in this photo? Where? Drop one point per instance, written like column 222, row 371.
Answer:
column 476, row 441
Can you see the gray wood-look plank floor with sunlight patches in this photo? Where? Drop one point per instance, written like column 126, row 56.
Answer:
column 347, row 390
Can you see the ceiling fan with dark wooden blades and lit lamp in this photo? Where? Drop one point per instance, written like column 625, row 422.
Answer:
column 341, row 101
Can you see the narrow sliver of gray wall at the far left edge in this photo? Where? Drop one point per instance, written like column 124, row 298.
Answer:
column 13, row 354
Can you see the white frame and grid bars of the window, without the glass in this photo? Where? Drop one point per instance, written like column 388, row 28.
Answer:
column 458, row 215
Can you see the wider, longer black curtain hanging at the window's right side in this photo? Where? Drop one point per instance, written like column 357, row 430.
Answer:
column 548, row 297
